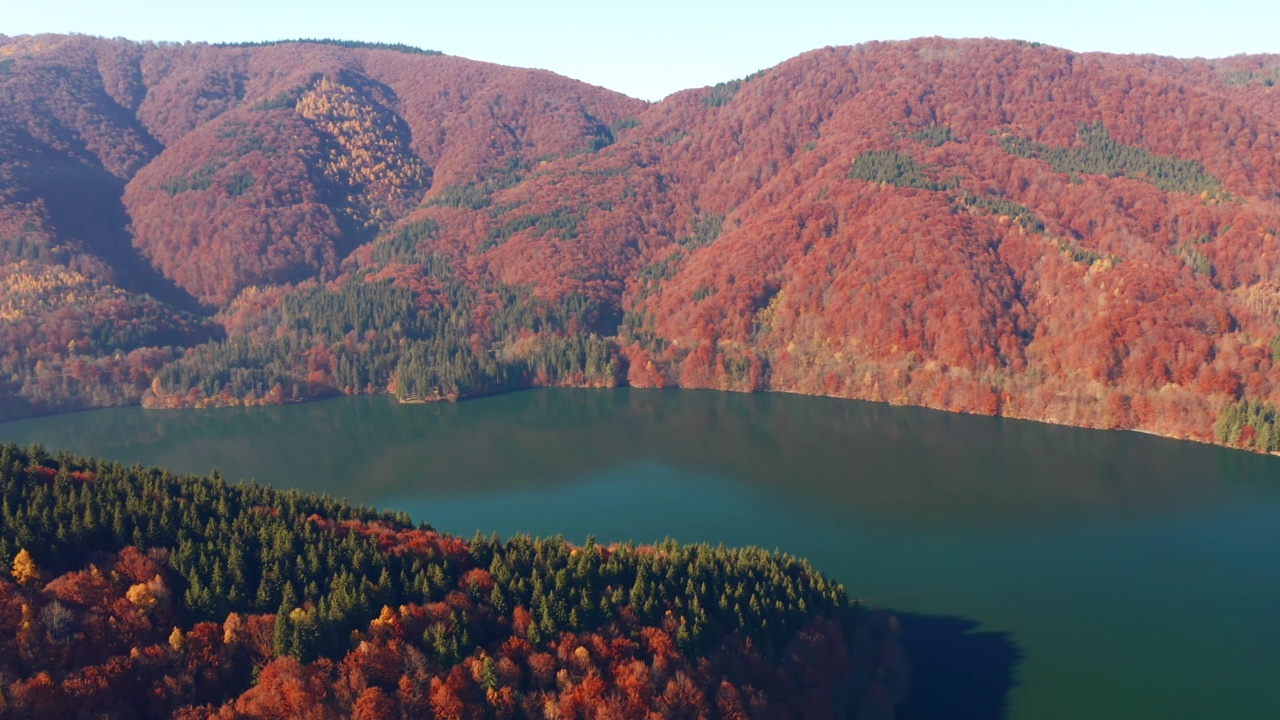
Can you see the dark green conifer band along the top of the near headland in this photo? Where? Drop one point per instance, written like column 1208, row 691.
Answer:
column 253, row 550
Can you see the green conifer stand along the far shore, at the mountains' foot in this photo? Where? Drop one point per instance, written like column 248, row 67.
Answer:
column 381, row 336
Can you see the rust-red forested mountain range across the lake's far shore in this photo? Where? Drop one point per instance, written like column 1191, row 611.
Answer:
column 990, row 227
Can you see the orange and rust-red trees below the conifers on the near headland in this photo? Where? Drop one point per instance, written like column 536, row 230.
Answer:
column 115, row 660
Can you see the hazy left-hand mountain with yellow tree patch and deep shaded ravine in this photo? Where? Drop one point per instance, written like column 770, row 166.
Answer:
column 163, row 179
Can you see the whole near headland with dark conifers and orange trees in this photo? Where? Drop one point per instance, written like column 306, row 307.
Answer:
column 139, row 594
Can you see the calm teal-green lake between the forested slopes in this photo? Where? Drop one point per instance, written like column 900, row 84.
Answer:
column 1040, row 572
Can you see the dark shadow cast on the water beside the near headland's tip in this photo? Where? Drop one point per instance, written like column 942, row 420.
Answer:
column 957, row 671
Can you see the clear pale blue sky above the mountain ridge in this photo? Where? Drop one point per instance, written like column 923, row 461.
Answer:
column 651, row 49
